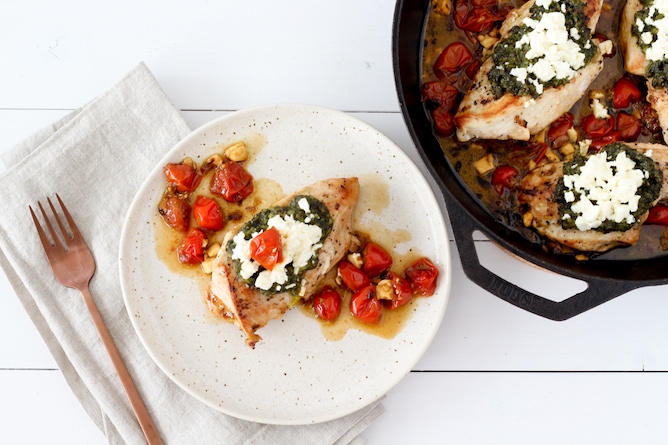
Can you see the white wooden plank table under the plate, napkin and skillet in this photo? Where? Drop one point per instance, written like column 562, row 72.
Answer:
column 494, row 374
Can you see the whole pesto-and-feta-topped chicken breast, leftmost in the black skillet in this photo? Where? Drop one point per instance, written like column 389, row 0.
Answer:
column 543, row 64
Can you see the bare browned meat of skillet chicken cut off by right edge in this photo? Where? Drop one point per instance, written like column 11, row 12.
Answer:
column 635, row 62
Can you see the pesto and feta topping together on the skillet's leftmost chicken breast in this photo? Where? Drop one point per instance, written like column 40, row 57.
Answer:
column 545, row 50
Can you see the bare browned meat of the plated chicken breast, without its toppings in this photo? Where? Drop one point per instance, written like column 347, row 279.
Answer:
column 248, row 308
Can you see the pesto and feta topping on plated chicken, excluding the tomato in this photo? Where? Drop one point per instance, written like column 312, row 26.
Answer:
column 304, row 224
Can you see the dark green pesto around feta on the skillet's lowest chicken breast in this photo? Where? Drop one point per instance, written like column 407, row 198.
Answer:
column 648, row 191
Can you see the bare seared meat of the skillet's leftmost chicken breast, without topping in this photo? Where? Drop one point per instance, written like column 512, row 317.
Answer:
column 482, row 116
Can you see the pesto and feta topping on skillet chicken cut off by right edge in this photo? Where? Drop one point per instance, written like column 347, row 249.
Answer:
column 650, row 27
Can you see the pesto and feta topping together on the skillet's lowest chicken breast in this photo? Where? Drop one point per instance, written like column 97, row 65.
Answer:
column 608, row 191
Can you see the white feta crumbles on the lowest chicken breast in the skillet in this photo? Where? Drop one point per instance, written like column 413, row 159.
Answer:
column 607, row 191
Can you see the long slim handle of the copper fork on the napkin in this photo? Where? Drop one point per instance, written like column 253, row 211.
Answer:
column 144, row 419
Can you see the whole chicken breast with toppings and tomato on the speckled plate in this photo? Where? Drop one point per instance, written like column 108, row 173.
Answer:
column 314, row 226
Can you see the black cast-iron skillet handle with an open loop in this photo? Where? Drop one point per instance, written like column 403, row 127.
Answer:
column 598, row 291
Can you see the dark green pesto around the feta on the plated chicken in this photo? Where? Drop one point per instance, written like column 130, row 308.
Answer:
column 318, row 215
